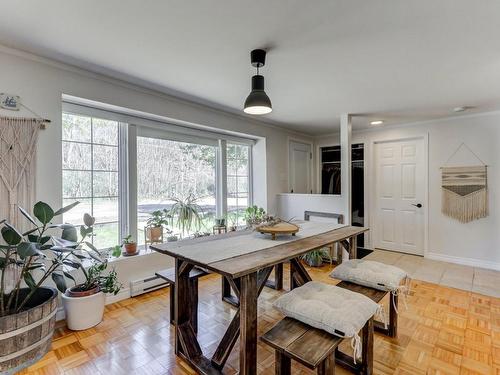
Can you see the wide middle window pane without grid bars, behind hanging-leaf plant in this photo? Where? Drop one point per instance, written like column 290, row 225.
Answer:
column 170, row 171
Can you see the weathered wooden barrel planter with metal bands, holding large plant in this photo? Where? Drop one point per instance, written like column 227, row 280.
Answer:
column 26, row 337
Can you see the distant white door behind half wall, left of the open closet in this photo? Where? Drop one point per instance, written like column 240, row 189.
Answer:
column 300, row 167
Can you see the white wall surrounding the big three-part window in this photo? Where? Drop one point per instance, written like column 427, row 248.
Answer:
column 41, row 83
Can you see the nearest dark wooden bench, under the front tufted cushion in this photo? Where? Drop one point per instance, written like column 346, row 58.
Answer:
column 315, row 348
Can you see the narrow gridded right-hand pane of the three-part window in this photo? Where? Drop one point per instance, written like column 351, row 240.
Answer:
column 238, row 182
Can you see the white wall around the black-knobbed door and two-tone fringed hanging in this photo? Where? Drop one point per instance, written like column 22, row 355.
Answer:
column 476, row 243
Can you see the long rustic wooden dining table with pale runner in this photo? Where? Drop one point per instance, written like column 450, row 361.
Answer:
column 245, row 260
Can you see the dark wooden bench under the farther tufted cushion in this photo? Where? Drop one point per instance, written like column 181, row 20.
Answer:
column 376, row 296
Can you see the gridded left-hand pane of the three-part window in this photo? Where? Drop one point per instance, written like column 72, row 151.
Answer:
column 90, row 174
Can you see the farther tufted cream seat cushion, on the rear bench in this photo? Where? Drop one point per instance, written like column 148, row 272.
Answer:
column 371, row 274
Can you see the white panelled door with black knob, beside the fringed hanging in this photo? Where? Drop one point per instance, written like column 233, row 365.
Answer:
column 400, row 191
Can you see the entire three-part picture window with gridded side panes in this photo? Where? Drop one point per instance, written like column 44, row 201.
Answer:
column 122, row 168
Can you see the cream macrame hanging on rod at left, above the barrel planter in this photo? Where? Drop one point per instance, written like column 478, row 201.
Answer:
column 18, row 139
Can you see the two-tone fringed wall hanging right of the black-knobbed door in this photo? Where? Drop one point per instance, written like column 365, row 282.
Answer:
column 465, row 190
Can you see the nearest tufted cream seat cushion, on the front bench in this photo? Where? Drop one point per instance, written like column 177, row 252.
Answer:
column 327, row 307
